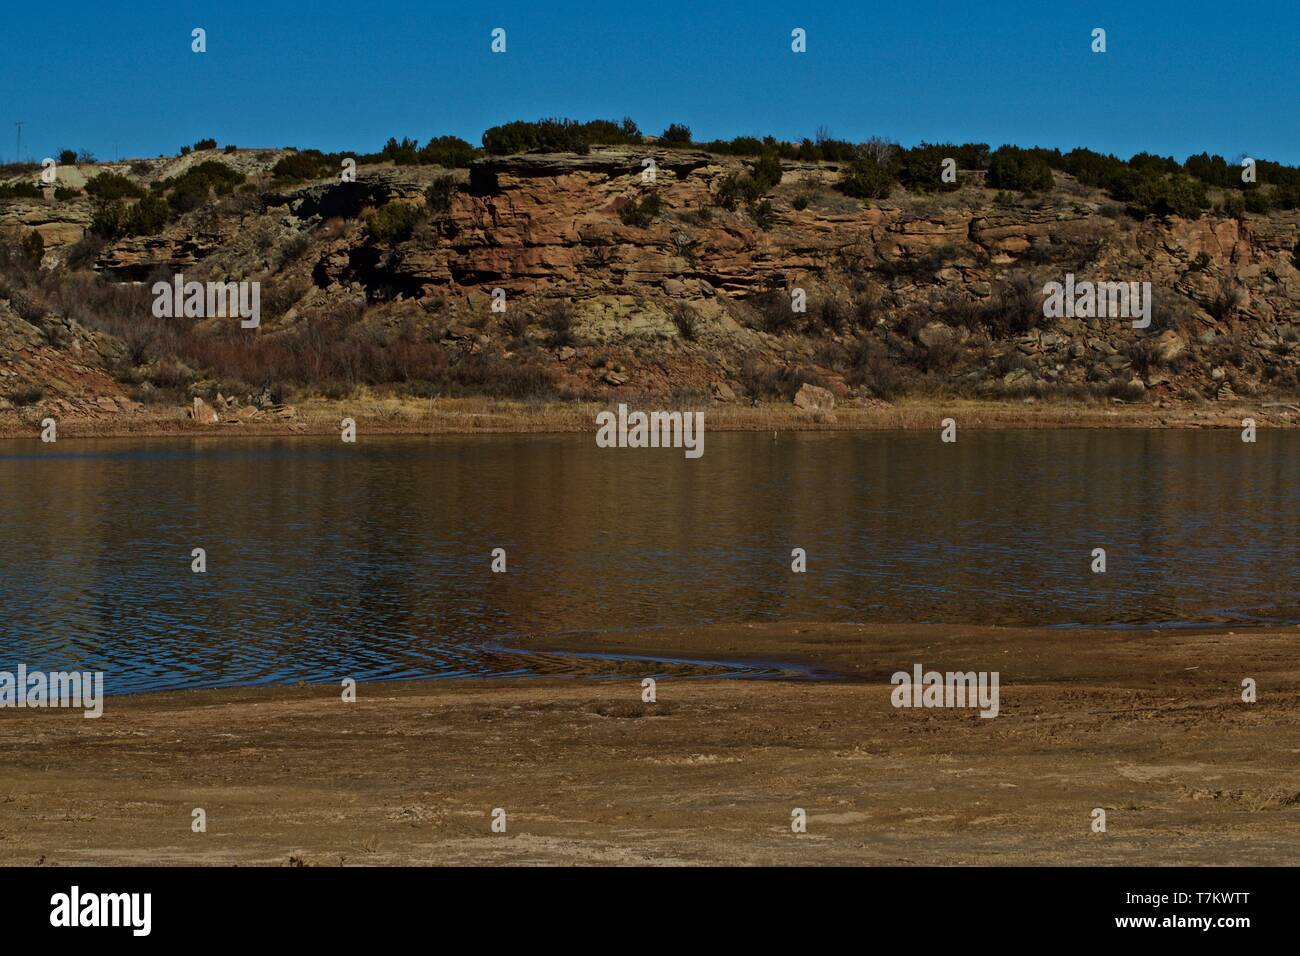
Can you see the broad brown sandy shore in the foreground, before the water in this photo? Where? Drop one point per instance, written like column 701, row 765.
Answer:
column 1149, row 726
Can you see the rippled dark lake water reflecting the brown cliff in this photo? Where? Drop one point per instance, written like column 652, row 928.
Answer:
column 374, row 560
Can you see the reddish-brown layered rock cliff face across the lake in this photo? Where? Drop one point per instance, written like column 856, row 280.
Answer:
column 939, row 293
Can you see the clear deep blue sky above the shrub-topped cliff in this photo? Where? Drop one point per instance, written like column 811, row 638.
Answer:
column 119, row 79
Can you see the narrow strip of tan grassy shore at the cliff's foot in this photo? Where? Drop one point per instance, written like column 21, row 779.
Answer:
column 470, row 416
